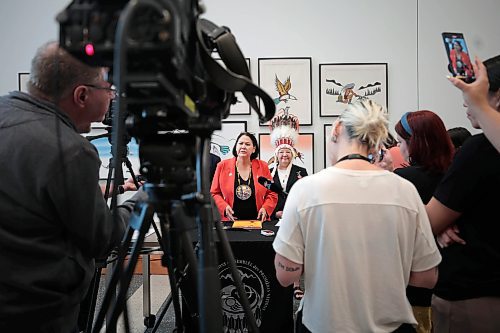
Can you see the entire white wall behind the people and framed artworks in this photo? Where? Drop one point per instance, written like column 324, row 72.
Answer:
column 404, row 33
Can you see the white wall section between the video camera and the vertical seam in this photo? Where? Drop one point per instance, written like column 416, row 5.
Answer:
column 328, row 32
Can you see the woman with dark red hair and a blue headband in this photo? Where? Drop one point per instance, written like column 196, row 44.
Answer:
column 426, row 145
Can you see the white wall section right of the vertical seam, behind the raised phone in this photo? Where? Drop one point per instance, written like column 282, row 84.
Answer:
column 478, row 20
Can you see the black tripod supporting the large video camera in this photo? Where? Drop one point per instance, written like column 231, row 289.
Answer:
column 178, row 207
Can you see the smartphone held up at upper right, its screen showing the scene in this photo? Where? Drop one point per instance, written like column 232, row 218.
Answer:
column 459, row 60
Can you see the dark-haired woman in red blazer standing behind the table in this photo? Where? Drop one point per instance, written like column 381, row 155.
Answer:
column 235, row 189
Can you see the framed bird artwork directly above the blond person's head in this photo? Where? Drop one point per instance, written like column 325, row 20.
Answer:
column 341, row 84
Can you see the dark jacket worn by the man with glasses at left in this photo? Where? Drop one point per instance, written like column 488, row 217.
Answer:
column 53, row 218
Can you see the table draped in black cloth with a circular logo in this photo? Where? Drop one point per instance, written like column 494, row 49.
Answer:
column 271, row 304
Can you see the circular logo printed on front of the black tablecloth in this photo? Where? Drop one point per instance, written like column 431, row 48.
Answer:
column 258, row 292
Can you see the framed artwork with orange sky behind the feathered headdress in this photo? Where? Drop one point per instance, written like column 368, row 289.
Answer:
column 305, row 145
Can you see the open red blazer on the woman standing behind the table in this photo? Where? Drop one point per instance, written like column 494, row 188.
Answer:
column 222, row 189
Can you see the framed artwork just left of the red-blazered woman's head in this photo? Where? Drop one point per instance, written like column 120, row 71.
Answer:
column 223, row 140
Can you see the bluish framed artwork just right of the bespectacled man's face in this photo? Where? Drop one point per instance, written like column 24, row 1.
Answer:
column 104, row 149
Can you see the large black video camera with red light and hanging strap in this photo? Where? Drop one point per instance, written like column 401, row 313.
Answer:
column 160, row 53
